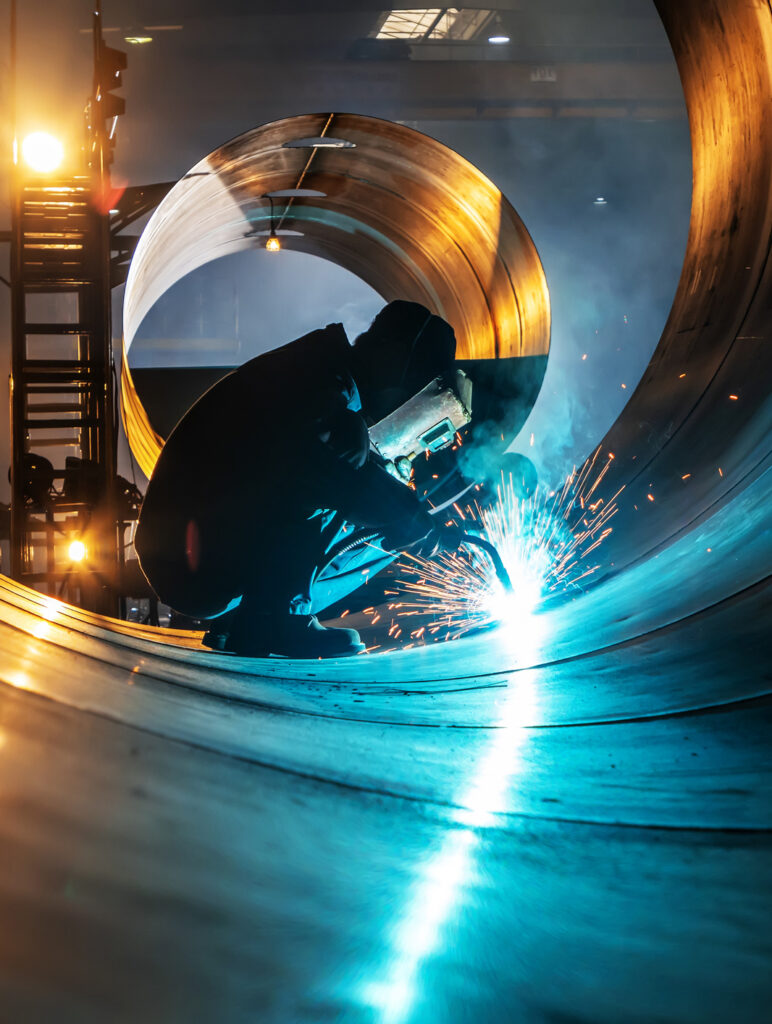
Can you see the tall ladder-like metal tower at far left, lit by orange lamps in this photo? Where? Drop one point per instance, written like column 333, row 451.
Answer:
column 63, row 380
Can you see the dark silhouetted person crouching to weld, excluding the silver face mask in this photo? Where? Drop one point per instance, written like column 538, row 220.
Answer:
column 265, row 475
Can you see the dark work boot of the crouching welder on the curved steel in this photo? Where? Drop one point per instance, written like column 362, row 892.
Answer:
column 291, row 636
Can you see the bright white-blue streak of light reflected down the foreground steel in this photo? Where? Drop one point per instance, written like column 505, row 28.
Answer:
column 444, row 877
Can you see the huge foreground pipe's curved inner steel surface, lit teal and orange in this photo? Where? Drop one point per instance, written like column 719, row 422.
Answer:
column 574, row 828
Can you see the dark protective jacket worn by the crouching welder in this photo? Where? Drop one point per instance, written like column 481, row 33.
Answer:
column 248, row 466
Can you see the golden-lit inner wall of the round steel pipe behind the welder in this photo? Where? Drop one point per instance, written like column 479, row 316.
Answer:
column 409, row 217
